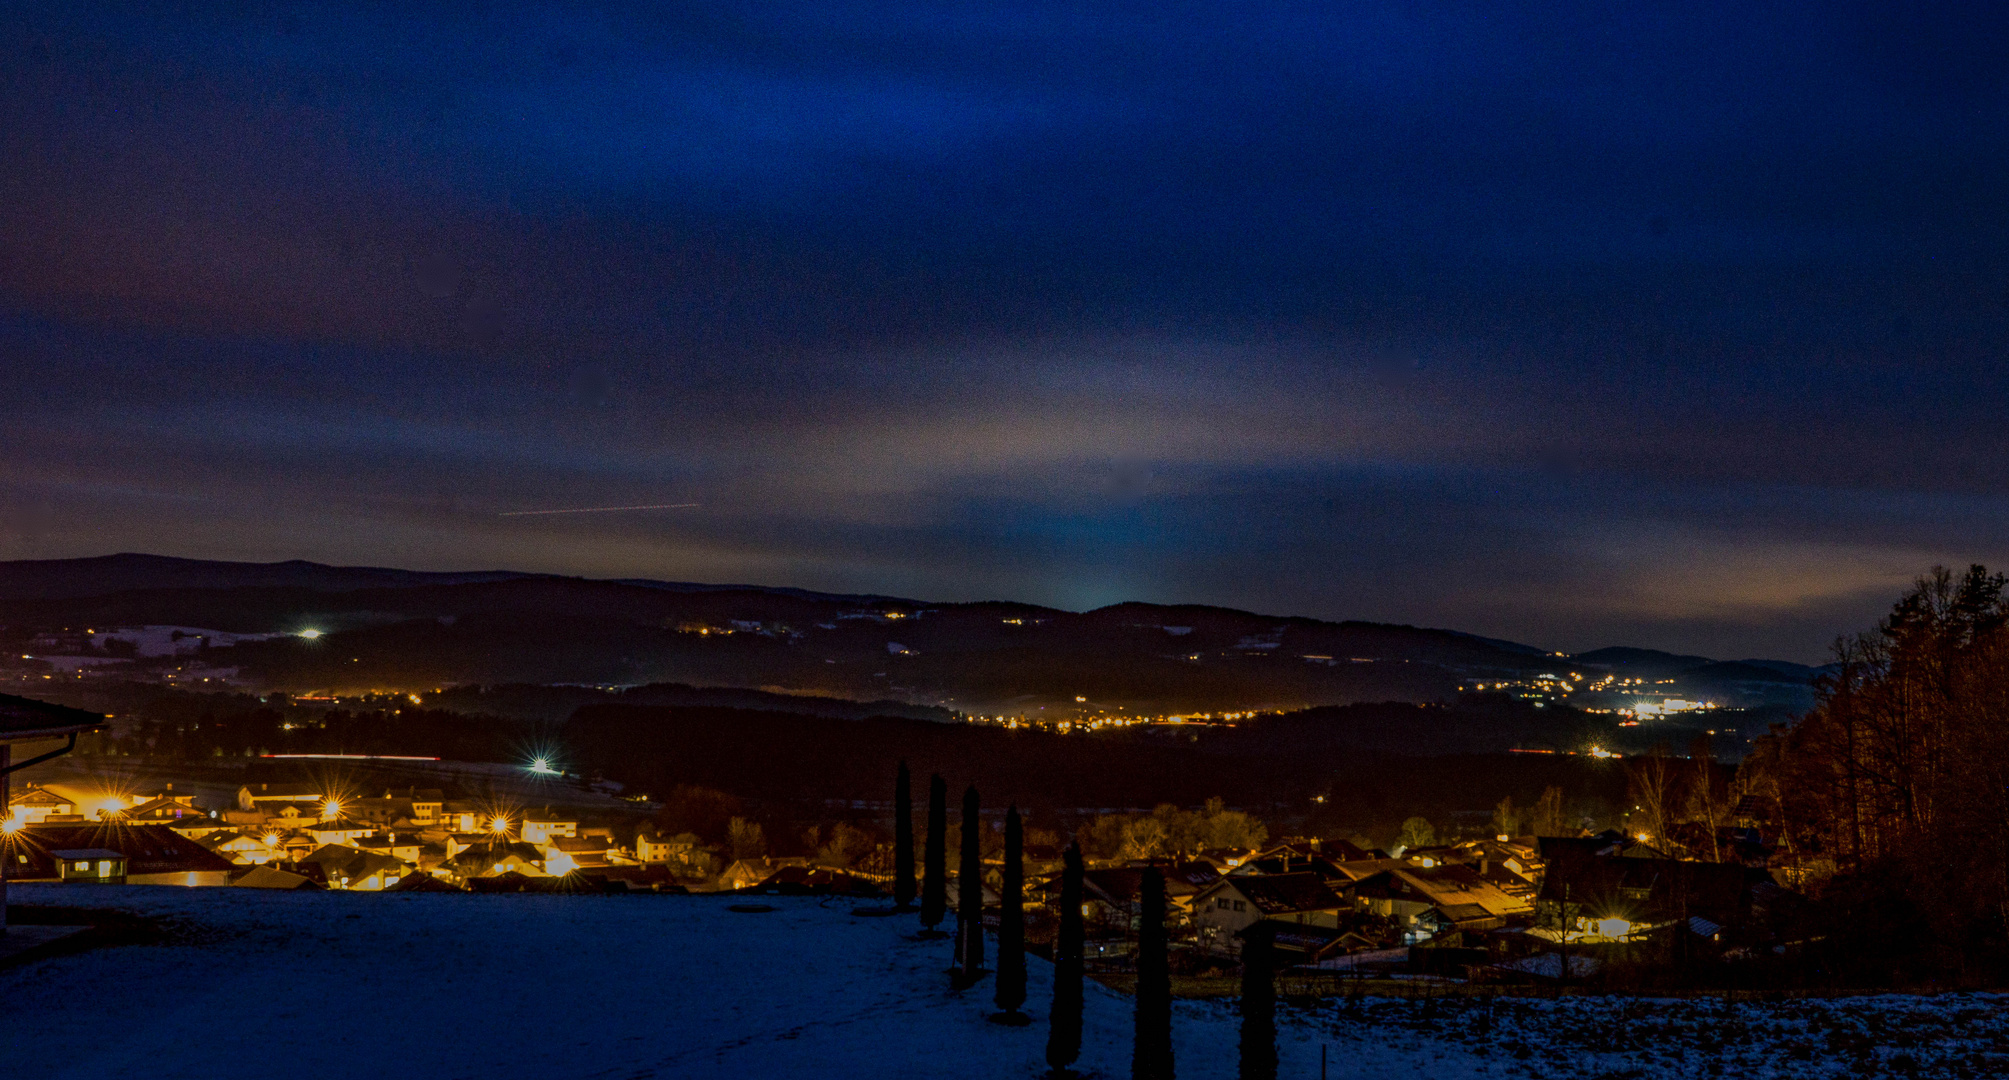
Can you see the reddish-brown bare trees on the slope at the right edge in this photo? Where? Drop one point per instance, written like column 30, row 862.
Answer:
column 1895, row 786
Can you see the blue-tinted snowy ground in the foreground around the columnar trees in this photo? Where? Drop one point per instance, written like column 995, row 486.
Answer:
column 483, row 987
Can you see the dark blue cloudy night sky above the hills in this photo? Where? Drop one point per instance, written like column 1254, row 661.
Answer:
column 1576, row 324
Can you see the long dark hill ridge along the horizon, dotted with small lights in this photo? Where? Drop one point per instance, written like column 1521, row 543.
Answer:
column 403, row 629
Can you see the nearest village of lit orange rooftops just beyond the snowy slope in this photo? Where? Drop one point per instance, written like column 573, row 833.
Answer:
column 1504, row 908
